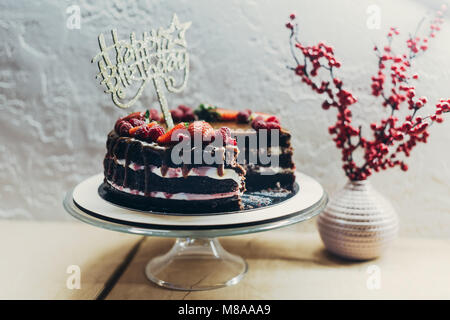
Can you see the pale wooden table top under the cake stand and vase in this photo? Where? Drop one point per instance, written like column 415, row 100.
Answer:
column 283, row 264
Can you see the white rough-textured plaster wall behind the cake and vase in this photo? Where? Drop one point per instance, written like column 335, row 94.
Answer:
column 54, row 116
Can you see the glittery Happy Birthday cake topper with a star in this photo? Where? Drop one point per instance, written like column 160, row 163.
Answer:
column 157, row 57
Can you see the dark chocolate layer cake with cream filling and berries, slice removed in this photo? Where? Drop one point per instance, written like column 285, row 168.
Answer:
column 203, row 164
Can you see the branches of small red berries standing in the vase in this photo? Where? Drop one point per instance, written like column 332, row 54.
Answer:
column 390, row 138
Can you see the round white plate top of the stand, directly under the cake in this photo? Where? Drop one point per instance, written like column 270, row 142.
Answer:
column 86, row 198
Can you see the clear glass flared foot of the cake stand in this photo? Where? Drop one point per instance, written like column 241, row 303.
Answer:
column 196, row 264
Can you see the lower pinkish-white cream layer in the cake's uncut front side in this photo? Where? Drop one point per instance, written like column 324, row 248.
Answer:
column 176, row 196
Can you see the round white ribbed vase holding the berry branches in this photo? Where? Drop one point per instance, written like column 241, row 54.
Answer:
column 358, row 223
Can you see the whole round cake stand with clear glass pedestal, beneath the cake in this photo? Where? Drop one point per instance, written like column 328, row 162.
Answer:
column 197, row 261
